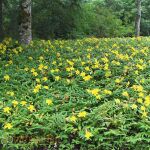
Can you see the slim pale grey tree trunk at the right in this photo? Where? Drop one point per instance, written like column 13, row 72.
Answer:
column 138, row 18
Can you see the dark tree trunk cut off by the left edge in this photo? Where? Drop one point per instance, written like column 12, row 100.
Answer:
column 1, row 20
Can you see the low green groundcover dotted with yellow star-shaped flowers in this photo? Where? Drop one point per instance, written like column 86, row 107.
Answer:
column 89, row 94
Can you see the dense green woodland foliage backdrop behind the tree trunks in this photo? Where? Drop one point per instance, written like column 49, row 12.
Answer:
column 78, row 18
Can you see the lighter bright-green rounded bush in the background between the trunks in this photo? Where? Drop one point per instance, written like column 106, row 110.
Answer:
column 99, row 21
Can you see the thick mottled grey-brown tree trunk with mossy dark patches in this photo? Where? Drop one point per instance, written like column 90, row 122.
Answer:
column 25, row 22
